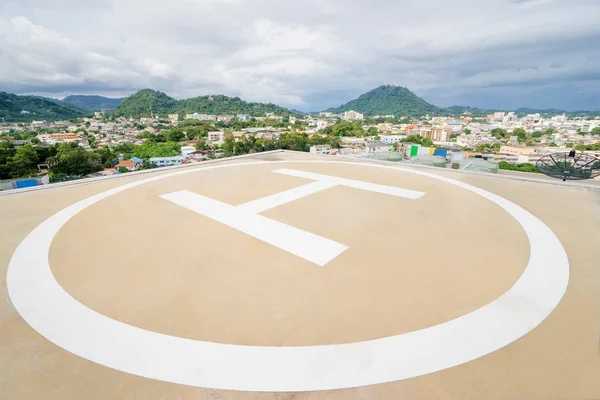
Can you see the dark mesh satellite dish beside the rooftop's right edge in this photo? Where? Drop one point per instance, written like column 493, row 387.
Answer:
column 569, row 165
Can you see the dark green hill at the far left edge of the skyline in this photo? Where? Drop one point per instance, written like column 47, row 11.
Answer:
column 15, row 108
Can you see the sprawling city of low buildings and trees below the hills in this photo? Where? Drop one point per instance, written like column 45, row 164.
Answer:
column 108, row 142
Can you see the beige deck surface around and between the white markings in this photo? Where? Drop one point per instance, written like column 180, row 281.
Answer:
column 410, row 264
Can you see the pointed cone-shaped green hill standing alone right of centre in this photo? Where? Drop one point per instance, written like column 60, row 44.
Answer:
column 389, row 100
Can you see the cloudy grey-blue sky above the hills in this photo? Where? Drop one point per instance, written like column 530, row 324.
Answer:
column 307, row 54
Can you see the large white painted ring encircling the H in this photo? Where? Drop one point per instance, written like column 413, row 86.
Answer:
column 64, row 321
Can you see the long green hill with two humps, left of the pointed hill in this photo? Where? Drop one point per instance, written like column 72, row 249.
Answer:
column 147, row 101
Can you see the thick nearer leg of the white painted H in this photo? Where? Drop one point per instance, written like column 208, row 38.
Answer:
column 311, row 247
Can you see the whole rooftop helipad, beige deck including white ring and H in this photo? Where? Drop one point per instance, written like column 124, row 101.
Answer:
column 284, row 272
